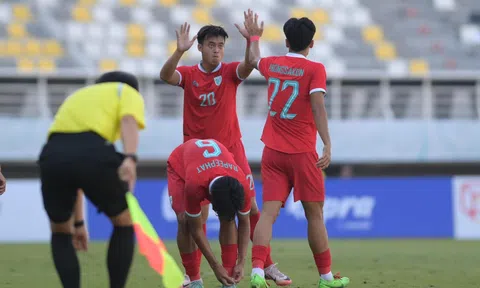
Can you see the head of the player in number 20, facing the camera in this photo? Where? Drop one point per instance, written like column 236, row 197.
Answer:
column 211, row 43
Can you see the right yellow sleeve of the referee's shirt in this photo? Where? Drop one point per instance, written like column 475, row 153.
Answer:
column 131, row 103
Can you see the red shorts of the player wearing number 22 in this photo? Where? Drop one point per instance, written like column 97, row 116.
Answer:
column 281, row 172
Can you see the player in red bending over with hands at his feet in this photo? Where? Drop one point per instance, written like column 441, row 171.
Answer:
column 200, row 170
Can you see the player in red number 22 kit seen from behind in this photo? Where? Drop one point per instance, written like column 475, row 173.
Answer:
column 296, row 92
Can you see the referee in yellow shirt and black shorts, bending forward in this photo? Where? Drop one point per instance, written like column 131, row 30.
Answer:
column 80, row 156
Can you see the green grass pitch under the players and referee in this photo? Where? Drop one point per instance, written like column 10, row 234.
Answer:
column 369, row 263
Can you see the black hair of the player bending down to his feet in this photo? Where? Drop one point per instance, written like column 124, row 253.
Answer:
column 228, row 197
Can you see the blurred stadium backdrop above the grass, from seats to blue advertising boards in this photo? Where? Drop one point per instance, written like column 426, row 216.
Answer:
column 403, row 102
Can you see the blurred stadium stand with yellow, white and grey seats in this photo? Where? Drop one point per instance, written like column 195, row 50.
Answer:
column 381, row 38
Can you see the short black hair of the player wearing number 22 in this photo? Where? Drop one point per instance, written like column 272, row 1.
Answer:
column 299, row 33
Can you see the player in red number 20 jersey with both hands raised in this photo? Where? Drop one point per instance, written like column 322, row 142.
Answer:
column 210, row 90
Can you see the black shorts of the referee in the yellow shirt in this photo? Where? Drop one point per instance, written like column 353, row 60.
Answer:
column 69, row 162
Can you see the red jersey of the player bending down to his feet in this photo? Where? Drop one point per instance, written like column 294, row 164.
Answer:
column 198, row 163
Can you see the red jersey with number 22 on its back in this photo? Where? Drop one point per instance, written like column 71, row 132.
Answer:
column 290, row 126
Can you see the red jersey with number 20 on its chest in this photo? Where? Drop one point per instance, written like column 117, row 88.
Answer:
column 210, row 102
